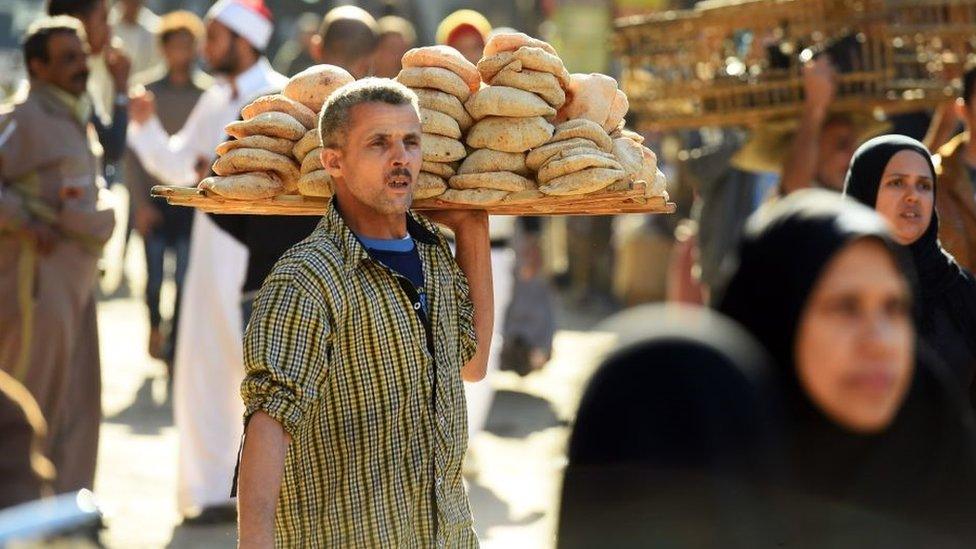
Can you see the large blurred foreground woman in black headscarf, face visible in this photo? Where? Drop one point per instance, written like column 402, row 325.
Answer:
column 871, row 426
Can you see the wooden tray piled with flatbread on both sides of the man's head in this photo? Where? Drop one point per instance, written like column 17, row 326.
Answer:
column 514, row 134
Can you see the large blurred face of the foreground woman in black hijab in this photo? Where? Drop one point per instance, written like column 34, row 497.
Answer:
column 855, row 342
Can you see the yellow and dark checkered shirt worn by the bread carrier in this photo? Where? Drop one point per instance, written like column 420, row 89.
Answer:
column 336, row 353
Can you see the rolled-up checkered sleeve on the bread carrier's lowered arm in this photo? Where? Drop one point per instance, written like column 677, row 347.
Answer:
column 286, row 350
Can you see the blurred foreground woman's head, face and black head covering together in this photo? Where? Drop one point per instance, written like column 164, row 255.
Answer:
column 818, row 282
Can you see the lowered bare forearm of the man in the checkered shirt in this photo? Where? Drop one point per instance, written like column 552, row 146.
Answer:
column 262, row 465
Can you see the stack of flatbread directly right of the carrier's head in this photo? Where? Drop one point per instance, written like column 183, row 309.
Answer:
column 443, row 80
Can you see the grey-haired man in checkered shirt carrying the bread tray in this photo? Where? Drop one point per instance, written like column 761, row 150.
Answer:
column 356, row 351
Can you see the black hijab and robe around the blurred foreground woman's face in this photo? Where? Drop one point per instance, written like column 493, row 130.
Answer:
column 928, row 453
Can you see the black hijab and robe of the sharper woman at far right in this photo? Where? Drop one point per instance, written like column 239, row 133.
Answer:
column 945, row 294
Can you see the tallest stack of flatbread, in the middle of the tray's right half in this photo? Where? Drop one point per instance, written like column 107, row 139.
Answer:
column 512, row 115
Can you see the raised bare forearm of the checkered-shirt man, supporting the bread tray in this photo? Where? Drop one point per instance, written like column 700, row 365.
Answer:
column 474, row 258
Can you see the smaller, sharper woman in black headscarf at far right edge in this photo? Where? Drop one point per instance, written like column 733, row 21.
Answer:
column 894, row 175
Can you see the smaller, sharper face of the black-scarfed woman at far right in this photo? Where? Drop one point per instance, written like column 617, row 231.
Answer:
column 906, row 196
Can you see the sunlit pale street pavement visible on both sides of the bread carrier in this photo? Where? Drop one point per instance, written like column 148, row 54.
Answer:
column 513, row 472
